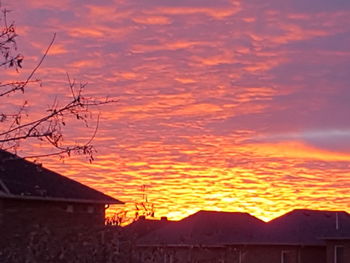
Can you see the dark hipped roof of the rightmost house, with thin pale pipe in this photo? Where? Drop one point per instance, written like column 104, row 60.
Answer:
column 308, row 227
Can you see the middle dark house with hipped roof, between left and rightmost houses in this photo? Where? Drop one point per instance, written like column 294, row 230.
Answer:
column 201, row 237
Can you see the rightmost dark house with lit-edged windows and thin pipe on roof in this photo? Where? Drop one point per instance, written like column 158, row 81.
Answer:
column 313, row 236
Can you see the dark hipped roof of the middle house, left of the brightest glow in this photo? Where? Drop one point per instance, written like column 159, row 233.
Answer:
column 208, row 228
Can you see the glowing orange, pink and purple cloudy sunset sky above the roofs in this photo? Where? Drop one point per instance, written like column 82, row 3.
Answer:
column 230, row 105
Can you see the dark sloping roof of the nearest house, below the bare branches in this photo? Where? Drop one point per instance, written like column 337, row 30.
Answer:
column 21, row 179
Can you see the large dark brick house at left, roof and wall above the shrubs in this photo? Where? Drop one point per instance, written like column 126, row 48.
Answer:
column 33, row 195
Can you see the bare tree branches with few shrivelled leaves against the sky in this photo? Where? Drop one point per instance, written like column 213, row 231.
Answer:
column 20, row 126
